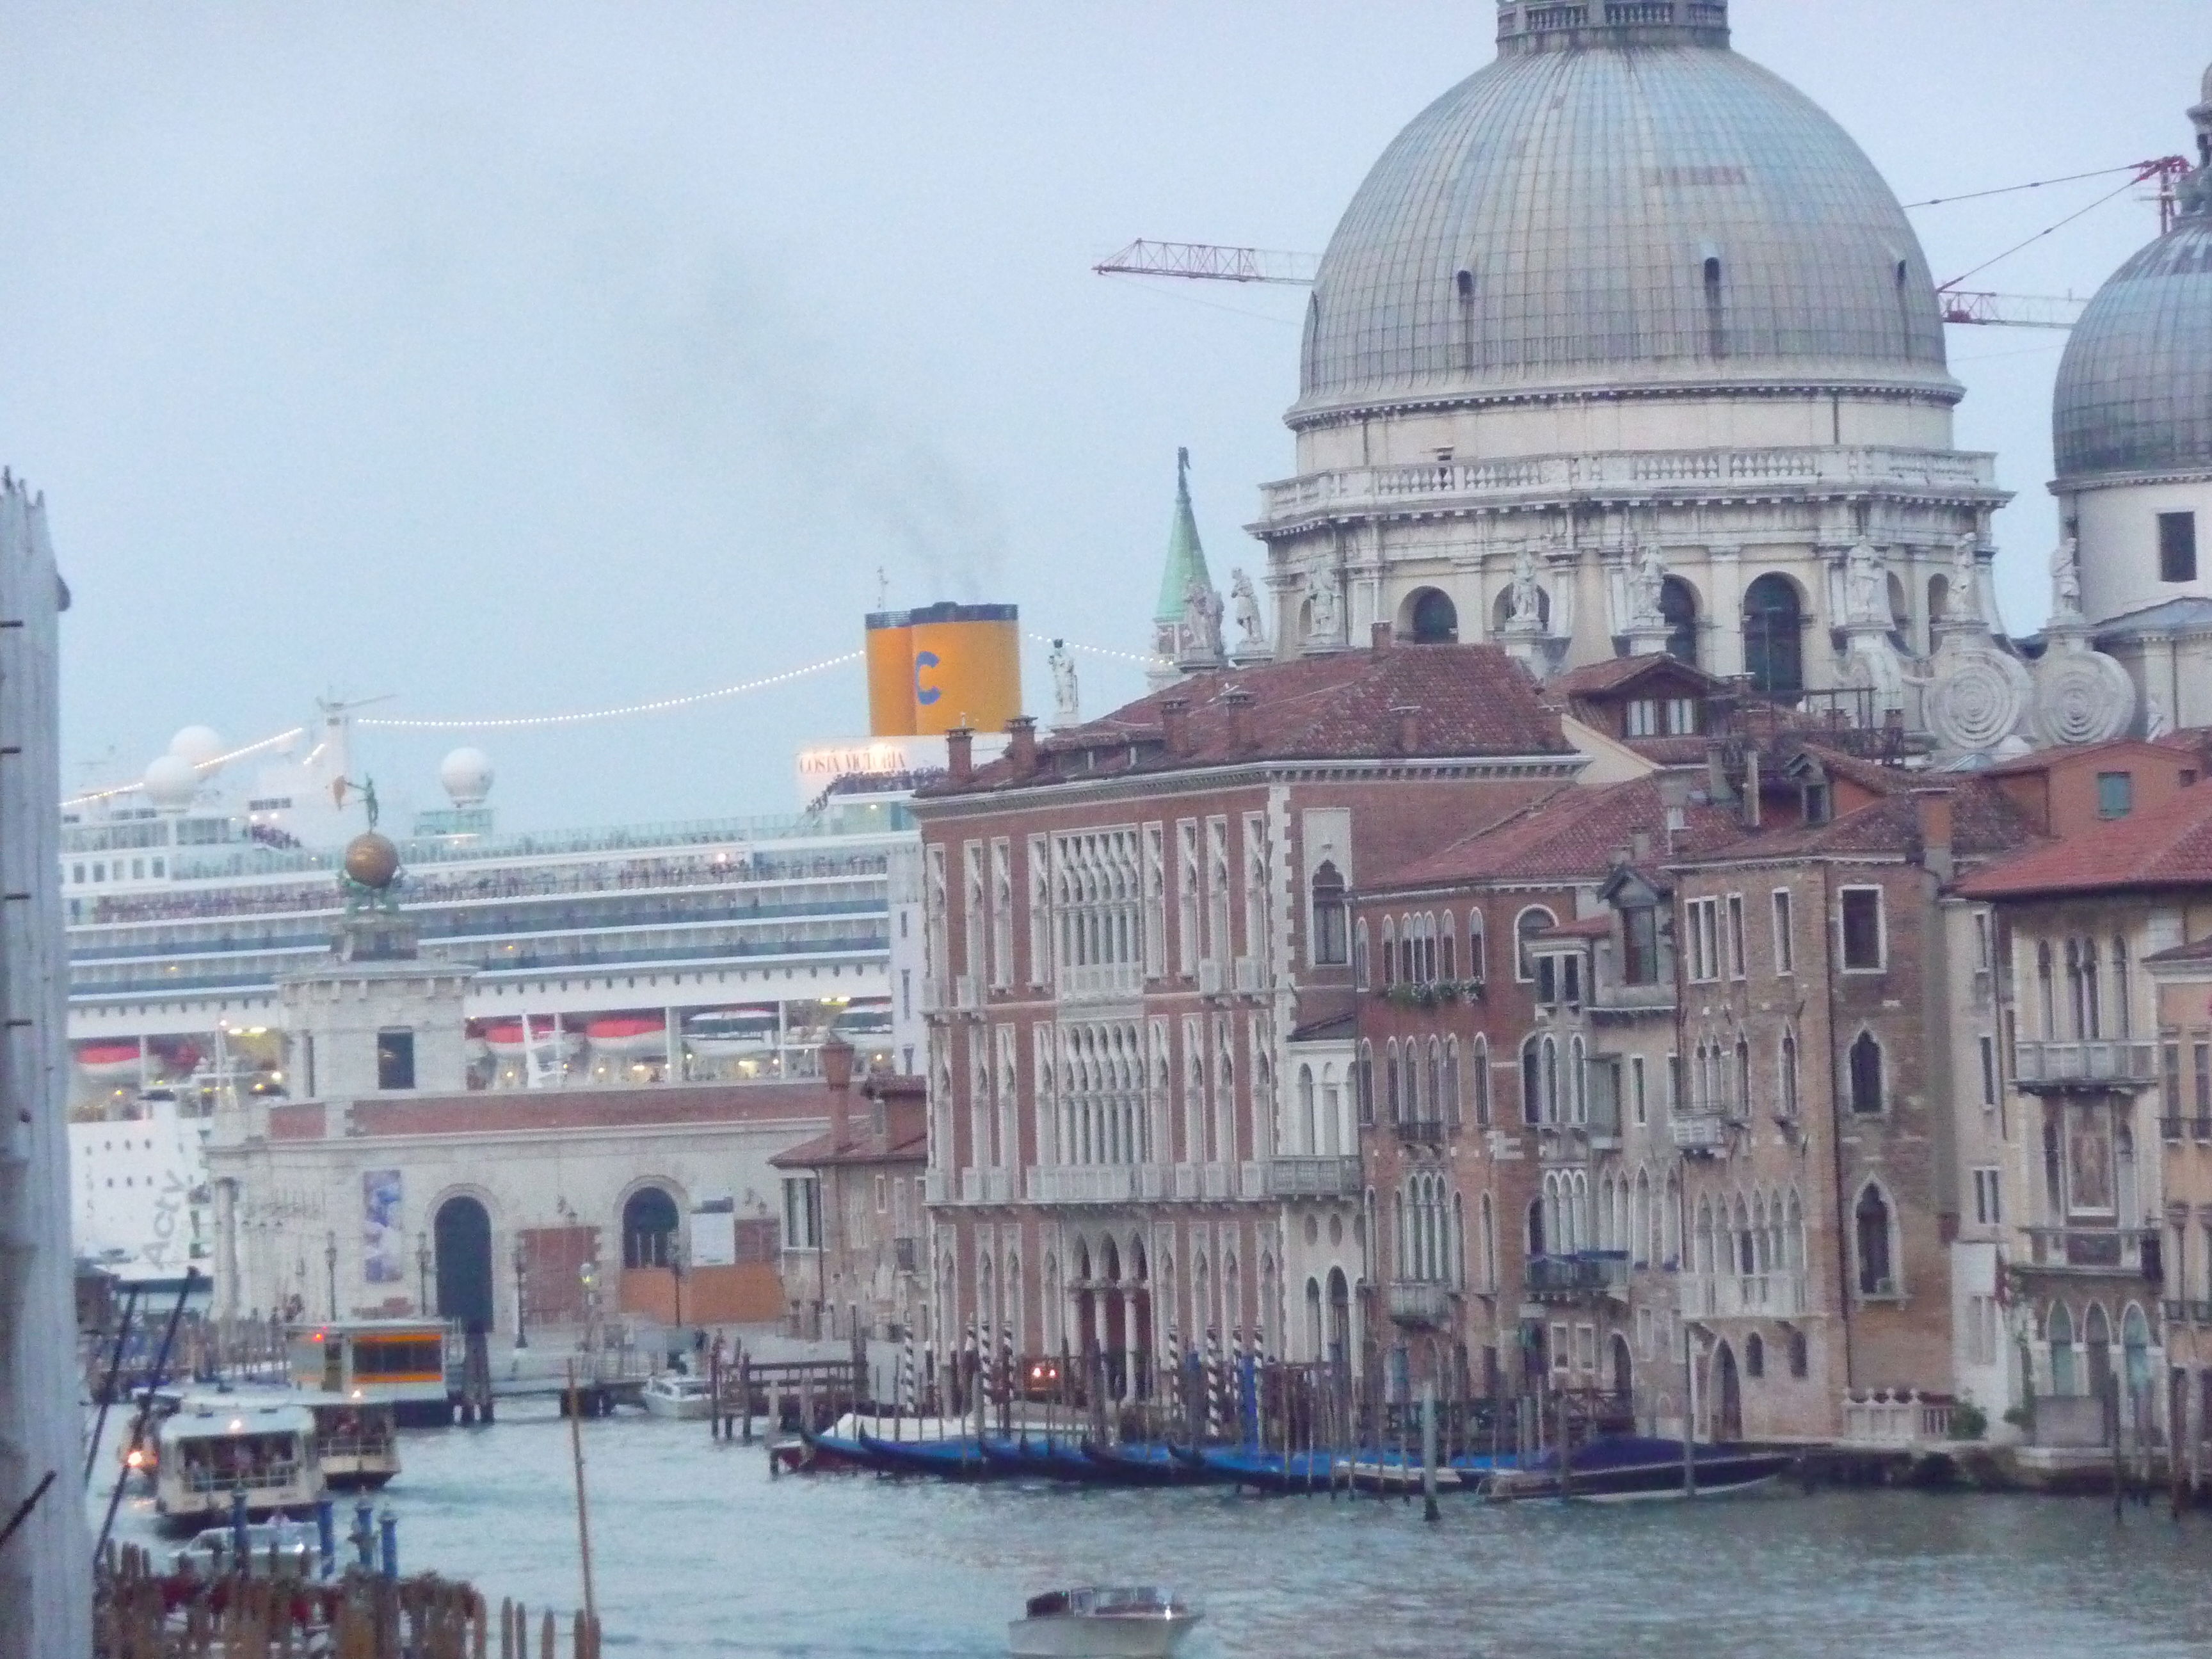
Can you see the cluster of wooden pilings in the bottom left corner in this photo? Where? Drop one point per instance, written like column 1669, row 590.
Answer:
column 140, row 1614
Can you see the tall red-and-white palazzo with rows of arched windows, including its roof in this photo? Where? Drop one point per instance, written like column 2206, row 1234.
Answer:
column 1131, row 930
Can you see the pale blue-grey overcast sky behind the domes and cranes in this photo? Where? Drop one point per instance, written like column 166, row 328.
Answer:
column 532, row 359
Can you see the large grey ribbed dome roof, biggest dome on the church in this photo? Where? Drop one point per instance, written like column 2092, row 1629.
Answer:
column 1552, row 218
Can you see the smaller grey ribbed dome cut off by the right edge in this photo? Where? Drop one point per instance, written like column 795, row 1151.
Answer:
column 2136, row 384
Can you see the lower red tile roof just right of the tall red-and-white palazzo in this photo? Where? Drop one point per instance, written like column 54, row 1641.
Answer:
column 1569, row 835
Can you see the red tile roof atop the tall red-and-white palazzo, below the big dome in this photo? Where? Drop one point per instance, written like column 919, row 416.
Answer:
column 1342, row 707
